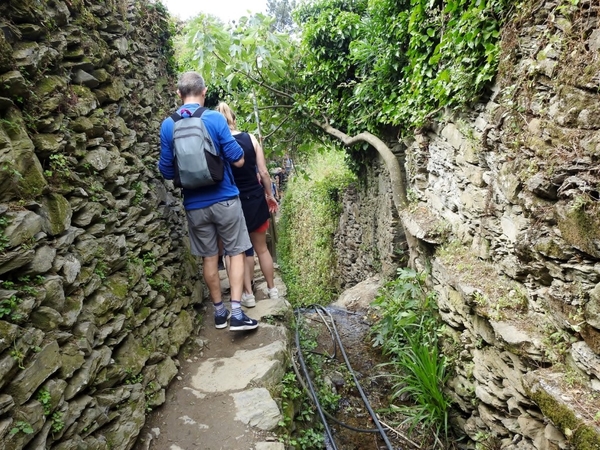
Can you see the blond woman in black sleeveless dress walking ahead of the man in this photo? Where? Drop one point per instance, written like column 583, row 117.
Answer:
column 258, row 202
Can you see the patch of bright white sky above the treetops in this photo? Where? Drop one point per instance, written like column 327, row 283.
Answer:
column 226, row 10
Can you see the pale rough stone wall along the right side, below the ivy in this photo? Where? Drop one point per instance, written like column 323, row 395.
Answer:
column 505, row 207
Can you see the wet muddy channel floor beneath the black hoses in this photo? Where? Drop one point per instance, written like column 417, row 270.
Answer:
column 366, row 363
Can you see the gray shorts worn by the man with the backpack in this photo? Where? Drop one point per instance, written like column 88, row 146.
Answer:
column 223, row 219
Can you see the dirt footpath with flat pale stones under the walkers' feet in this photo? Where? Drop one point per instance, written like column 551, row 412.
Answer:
column 221, row 397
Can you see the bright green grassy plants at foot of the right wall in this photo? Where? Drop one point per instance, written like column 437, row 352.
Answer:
column 408, row 333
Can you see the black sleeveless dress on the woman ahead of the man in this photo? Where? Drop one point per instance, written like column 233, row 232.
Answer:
column 252, row 194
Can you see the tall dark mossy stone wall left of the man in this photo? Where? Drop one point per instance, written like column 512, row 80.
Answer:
column 90, row 239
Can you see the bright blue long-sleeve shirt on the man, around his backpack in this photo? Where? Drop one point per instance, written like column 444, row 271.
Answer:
column 224, row 142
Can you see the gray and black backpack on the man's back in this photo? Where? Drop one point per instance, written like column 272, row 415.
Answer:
column 197, row 162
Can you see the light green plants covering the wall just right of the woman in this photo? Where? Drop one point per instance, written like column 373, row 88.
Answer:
column 309, row 218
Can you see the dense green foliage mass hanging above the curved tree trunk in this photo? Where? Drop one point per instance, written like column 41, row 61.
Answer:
column 397, row 62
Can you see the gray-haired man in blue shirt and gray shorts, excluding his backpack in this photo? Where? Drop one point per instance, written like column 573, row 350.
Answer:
column 212, row 211
